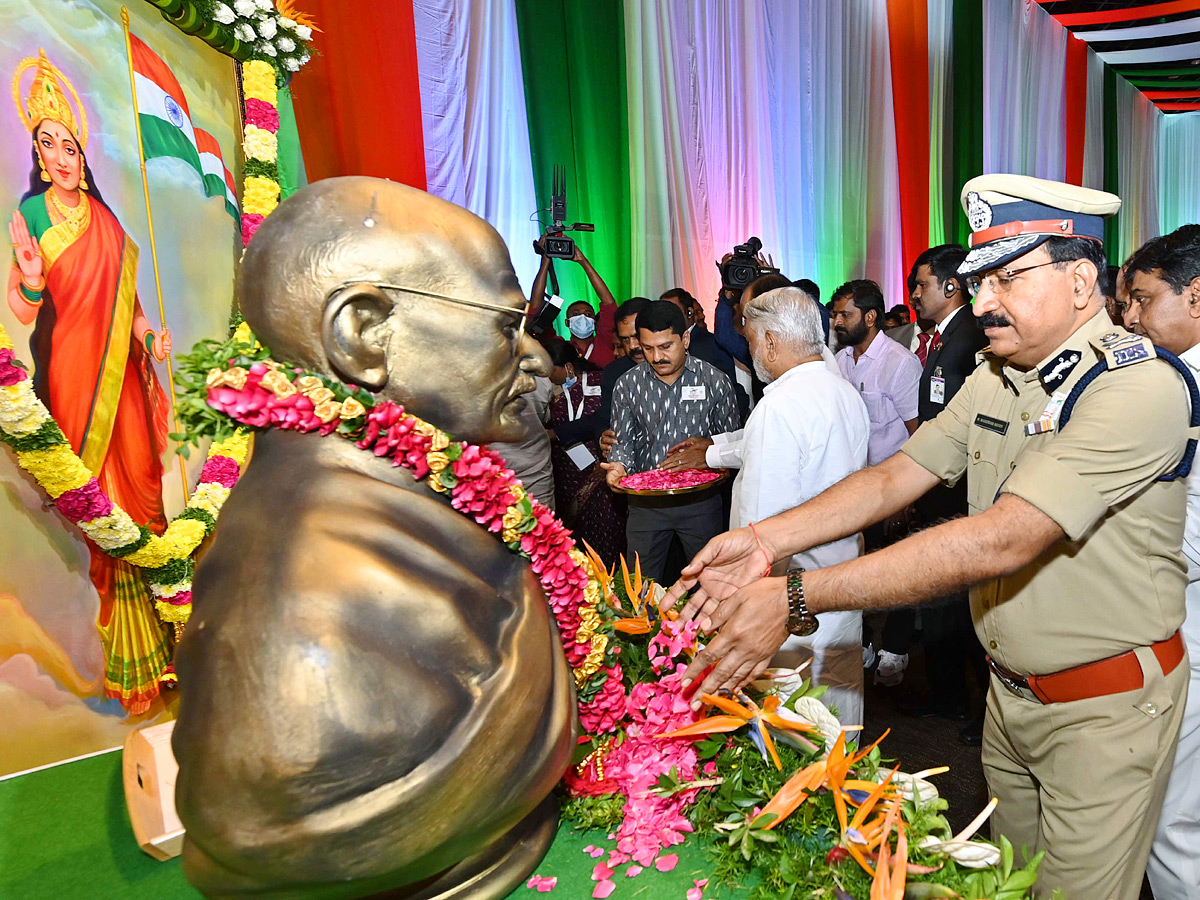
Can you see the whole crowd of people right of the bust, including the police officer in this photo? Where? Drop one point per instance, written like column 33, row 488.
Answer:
column 914, row 464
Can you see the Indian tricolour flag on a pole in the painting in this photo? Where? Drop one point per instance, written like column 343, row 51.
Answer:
column 167, row 129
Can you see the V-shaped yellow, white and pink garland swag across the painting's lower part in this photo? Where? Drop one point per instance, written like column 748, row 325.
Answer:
column 44, row 452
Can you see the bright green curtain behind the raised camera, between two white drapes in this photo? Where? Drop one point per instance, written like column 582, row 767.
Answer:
column 573, row 61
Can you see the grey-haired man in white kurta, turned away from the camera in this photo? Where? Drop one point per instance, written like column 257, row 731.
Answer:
column 809, row 431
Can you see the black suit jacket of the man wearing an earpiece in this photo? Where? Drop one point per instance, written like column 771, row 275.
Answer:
column 956, row 359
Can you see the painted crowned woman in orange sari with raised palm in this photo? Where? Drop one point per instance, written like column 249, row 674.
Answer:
column 74, row 277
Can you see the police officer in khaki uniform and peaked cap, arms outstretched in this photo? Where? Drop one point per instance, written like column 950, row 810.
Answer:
column 1072, row 547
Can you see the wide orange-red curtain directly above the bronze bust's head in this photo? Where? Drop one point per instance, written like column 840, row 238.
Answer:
column 358, row 103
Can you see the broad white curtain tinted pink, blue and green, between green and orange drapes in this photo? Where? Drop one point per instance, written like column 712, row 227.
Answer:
column 788, row 136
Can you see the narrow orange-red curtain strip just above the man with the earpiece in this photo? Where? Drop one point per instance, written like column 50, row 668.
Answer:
column 909, row 41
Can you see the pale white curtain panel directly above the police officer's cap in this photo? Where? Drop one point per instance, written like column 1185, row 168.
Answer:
column 1025, row 58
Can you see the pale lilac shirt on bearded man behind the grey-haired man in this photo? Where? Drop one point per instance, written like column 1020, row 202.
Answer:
column 889, row 379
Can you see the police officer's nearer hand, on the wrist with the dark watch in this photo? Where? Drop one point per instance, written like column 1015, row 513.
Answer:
column 752, row 626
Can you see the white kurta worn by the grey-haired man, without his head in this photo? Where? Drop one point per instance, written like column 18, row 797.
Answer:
column 809, row 431
